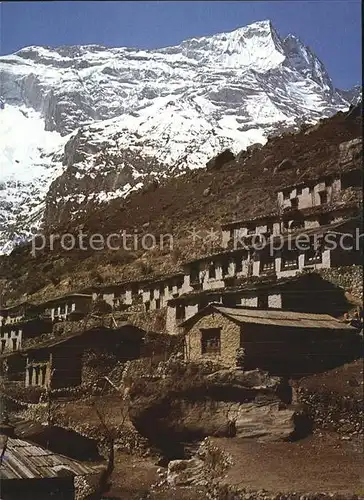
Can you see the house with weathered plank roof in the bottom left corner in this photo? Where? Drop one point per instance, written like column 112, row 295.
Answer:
column 31, row 472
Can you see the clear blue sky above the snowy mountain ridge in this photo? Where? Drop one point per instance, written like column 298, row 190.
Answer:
column 331, row 28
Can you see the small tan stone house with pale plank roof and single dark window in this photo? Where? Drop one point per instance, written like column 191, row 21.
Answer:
column 282, row 342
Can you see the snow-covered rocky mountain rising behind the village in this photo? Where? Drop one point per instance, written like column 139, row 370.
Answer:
column 97, row 122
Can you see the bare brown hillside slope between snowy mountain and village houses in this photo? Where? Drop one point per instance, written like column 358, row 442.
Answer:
column 199, row 199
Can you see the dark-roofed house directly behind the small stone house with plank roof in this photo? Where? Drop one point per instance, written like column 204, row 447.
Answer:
column 307, row 292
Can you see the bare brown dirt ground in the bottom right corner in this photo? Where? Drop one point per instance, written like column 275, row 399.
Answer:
column 319, row 464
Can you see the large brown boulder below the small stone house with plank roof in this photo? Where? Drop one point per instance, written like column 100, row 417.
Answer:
column 225, row 403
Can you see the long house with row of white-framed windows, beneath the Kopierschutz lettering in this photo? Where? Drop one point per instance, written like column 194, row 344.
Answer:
column 279, row 254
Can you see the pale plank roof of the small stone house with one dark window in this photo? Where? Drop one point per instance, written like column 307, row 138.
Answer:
column 274, row 318
